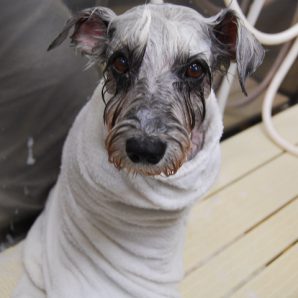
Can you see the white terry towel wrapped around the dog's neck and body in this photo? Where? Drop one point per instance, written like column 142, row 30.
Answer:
column 105, row 233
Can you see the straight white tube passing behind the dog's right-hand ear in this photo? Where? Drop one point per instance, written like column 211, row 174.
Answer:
column 226, row 85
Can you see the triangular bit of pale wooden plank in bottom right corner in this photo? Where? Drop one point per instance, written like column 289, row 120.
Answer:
column 279, row 279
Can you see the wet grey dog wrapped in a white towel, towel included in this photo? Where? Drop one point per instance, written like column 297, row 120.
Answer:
column 141, row 152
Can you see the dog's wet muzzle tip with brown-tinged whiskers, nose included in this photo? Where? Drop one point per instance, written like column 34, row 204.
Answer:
column 151, row 155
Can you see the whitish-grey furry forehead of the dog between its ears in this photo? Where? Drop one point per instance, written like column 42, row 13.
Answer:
column 164, row 30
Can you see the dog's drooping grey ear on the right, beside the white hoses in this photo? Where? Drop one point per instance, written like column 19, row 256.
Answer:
column 233, row 42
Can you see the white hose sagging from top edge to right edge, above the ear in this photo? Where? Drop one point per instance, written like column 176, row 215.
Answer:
column 264, row 38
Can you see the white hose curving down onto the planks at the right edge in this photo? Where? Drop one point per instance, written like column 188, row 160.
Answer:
column 269, row 97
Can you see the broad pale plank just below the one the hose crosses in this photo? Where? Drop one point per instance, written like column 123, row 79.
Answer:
column 218, row 221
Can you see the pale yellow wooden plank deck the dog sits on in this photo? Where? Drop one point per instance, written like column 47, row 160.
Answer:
column 242, row 238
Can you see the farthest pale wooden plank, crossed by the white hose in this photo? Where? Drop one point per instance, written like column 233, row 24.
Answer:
column 248, row 150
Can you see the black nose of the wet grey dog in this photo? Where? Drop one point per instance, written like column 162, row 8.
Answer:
column 148, row 150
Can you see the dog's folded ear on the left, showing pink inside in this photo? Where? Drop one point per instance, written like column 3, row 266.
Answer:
column 90, row 30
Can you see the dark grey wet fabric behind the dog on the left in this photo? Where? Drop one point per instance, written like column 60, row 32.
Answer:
column 40, row 94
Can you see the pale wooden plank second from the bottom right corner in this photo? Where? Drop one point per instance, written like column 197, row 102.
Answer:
column 236, row 264
